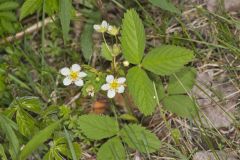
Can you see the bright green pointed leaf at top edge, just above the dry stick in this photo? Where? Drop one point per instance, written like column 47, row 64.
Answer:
column 29, row 7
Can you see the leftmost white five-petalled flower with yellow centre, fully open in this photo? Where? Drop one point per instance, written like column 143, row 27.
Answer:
column 73, row 75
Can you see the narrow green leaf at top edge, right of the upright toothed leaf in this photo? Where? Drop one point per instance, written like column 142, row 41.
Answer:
column 165, row 5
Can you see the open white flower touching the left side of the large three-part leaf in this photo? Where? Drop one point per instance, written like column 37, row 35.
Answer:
column 113, row 85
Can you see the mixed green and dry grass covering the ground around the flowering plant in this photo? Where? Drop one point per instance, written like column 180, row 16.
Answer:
column 30, row 67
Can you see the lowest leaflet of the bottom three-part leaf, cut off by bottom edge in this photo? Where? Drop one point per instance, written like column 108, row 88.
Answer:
column 112, row 150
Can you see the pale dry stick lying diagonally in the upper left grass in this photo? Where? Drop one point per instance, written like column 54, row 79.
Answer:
column 37, row 26
